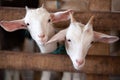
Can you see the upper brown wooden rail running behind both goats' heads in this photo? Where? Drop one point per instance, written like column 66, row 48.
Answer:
column 103, row 20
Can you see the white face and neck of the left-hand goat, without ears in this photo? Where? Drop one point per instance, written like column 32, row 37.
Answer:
column 39, row 25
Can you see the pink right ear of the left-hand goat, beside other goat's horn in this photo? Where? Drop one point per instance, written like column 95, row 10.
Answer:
column 60, row 16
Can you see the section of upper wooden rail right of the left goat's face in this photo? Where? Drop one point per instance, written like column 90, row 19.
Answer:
column 102, row 21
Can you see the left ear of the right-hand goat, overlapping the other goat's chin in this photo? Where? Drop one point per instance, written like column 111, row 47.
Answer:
column 60, row 36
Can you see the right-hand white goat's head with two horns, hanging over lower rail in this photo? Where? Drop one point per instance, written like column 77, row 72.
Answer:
column 78, row 39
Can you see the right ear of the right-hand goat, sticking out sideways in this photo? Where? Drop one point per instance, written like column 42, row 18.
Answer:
column 100, row 37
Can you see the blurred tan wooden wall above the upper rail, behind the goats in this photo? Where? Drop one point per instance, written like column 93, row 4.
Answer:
column 84, row 5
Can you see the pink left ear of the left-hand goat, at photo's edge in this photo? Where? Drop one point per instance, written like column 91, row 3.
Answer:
column 13, row 25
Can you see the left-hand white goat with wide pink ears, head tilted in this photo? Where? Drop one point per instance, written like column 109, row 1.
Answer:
column 39, row 24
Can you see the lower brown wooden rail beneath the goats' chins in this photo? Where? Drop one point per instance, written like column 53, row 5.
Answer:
column 94, row 64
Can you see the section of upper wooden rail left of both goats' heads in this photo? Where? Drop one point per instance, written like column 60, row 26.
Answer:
column 8, row 13
